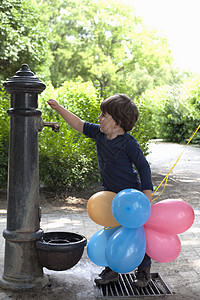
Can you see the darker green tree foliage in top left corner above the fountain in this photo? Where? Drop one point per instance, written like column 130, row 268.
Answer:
column 23, row 38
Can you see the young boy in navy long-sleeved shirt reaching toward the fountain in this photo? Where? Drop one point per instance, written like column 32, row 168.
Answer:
column 117, row 154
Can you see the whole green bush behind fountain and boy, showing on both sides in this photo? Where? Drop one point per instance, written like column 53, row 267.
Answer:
column 67, row 158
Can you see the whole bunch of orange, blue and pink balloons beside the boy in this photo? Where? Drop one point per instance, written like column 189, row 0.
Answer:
column 132, row 227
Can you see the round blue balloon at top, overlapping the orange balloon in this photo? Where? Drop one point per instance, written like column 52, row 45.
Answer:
column 131, row 208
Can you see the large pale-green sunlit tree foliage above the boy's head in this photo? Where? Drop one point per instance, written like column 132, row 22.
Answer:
column 104, row 41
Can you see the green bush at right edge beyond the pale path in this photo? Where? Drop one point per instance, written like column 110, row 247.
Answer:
column 176, row 111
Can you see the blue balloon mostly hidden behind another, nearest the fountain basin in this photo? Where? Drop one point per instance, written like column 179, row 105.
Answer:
column 97, row 245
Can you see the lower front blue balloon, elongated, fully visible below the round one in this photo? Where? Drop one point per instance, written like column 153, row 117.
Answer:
column 125, row 249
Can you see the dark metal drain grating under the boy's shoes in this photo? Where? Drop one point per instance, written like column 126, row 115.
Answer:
column 123, row 288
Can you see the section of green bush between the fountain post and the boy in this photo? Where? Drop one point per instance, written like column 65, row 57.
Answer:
column 68, row 158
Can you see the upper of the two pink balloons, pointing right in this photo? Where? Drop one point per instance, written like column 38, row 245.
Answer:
column 170, row 216
